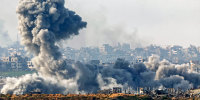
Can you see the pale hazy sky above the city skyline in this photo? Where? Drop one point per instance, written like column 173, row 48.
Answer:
column 139, row 22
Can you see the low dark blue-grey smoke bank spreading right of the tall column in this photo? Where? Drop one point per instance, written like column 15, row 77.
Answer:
column 122, row 73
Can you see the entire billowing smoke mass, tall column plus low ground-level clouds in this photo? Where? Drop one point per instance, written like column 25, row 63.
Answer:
column 43, row 23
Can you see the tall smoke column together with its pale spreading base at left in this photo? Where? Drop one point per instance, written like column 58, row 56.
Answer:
column 42, row 23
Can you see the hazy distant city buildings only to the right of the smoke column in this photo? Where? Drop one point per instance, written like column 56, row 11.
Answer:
column 108, row 53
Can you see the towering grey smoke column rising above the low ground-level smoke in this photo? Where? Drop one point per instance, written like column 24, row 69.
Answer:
column 42, row 23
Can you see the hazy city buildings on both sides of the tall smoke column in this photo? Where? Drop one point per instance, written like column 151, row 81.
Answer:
column 15, row 58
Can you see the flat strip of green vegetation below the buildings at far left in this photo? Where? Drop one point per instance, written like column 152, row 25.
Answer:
column 15, row 73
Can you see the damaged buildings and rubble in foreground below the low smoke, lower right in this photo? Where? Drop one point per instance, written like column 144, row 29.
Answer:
column 155, row 93
